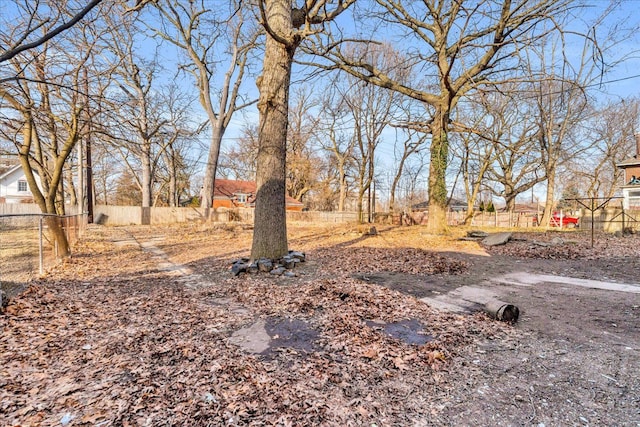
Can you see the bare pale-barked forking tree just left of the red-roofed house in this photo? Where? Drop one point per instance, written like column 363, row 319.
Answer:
column 205, row 33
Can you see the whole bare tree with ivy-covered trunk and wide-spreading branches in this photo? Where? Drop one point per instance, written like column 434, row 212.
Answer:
column 461, row 47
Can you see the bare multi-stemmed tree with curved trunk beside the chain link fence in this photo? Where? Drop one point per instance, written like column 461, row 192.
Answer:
column 43, row 105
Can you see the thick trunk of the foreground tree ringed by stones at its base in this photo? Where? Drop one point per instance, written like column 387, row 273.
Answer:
column 270, row 229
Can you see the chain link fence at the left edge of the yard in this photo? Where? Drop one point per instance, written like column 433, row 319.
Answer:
column 27, row 249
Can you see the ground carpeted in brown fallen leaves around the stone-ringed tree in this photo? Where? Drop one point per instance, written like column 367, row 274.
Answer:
column 109, row 339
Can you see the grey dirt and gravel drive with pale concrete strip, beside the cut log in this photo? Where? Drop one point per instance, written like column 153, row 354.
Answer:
column 576, row 358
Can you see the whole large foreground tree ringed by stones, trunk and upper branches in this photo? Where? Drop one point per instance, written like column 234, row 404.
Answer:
column 286, row 27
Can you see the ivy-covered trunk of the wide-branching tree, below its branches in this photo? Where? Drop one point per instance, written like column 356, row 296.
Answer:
column 437, row 223
